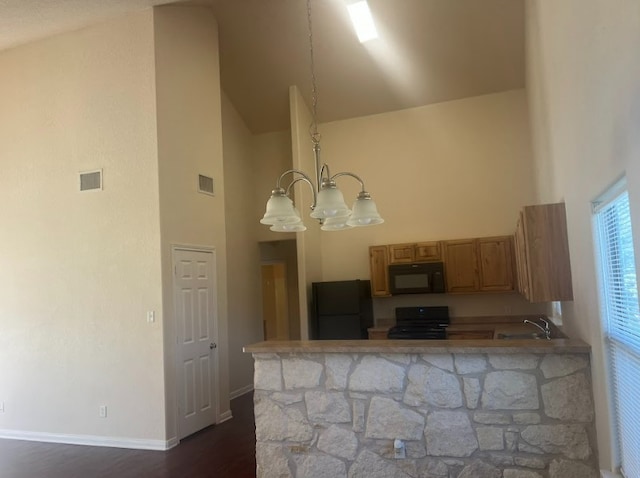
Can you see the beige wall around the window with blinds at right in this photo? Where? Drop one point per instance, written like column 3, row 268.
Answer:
column 583, row 72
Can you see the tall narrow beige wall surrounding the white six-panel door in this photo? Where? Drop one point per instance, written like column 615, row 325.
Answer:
column 190, row 143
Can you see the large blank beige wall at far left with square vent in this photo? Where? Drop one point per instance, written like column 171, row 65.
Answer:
column 80, row 270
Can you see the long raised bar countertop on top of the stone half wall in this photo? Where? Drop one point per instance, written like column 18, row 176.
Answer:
column 471, row 346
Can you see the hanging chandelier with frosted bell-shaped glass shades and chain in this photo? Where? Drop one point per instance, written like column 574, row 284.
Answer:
column 328, row 205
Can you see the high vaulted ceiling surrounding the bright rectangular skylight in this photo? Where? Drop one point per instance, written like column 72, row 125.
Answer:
column 429, row 50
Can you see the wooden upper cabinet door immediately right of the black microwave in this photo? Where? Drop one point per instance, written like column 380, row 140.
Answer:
column 461, row 265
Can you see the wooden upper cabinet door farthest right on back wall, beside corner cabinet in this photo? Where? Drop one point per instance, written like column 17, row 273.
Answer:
column 495, row 263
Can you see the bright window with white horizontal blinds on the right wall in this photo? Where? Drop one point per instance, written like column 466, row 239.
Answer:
column 621, row 320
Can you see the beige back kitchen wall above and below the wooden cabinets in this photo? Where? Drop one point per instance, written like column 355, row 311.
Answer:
column 452, row 170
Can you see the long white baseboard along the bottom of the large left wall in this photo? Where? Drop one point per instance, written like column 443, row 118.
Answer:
column 90, row 440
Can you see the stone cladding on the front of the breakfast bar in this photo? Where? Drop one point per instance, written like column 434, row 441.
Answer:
column 459, row 415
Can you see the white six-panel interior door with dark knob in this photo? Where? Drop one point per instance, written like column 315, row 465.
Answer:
column 196, row 322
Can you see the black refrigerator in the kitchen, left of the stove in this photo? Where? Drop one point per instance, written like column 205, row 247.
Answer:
column 341, row 310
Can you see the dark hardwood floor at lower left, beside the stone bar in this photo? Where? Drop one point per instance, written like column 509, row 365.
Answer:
column 221, row 451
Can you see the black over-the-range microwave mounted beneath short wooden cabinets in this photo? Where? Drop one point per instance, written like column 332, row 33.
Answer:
column 417, row 278
